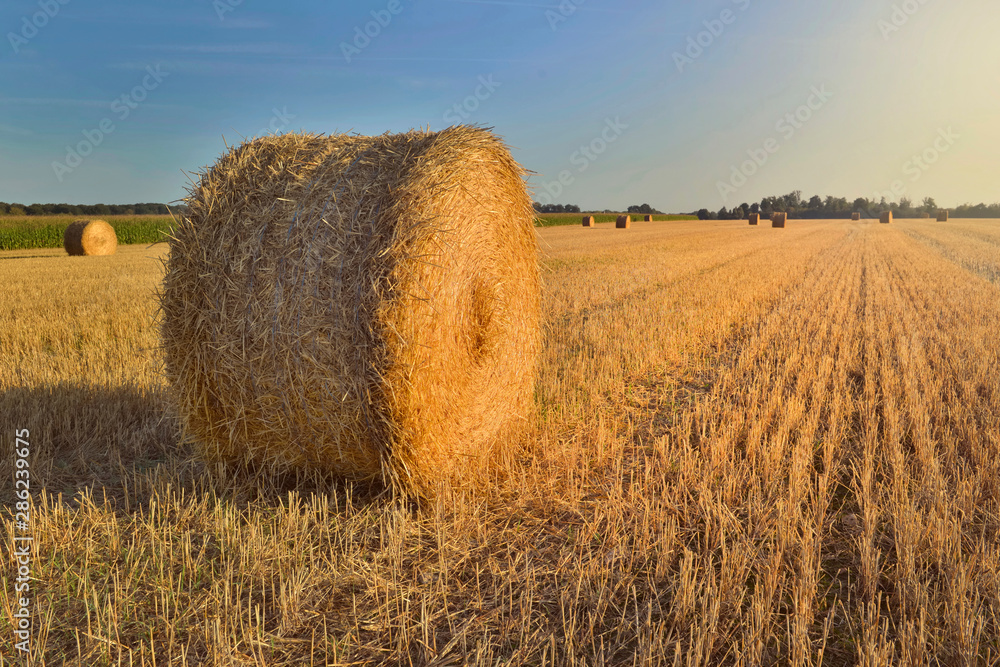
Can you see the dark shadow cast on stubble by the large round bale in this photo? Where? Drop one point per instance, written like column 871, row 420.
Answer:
column 125, row 443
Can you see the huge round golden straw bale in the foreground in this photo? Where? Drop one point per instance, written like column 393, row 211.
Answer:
column 364, row 306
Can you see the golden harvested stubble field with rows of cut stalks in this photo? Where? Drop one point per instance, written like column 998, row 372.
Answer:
column 752, row 446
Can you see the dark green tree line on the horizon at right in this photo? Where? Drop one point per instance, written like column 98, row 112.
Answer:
column 840, row 207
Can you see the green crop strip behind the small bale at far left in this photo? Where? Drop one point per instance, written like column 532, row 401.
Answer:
column 24, row 232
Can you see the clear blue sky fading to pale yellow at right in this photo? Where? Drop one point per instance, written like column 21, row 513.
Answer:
column 679, row 105
